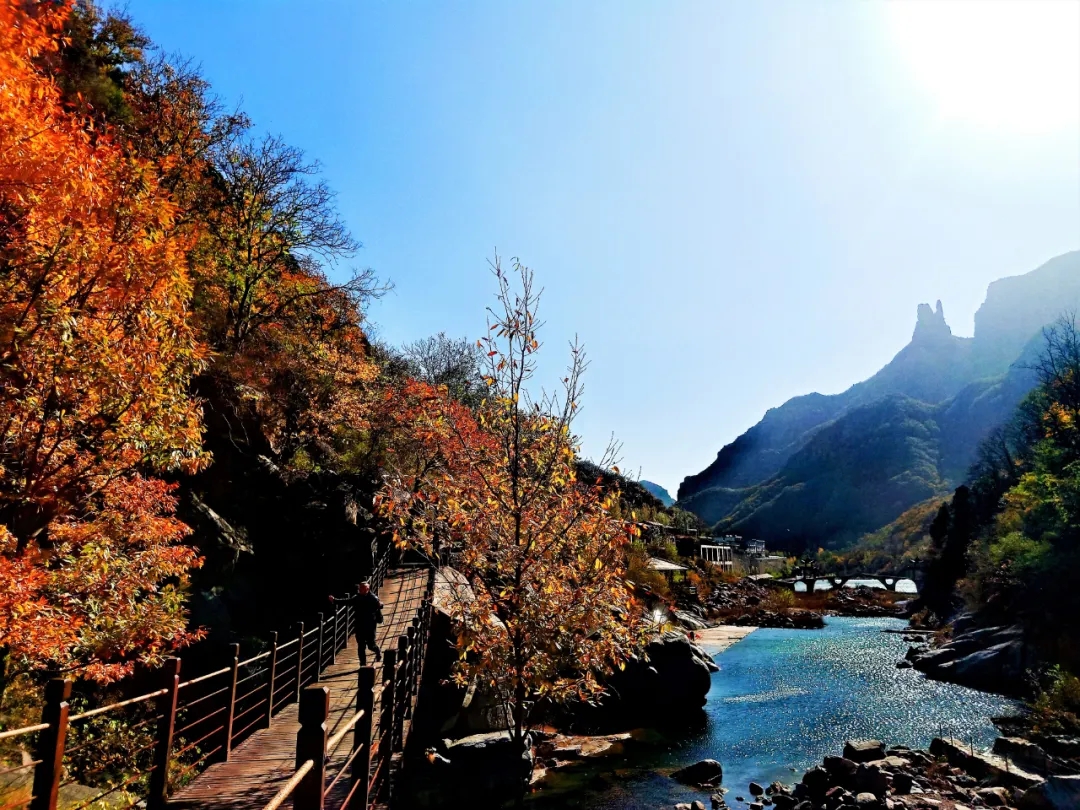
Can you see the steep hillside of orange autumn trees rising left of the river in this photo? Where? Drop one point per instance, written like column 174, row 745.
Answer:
column 199, row 438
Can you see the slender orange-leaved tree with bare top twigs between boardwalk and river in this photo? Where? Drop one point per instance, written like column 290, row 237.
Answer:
column 548, row 607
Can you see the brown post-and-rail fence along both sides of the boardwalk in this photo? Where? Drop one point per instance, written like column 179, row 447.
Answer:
column 164, row 739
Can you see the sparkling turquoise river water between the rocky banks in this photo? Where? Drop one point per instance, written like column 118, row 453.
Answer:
column 784, row 700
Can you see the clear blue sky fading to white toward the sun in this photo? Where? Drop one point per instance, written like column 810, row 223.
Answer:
column 731, row 204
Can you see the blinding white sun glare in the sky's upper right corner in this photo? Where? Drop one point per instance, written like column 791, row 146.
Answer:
column 998, row 64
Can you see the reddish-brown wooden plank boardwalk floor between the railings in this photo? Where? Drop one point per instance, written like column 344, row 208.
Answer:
column 263, row 764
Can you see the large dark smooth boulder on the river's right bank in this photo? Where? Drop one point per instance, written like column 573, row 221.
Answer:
column 992, row 659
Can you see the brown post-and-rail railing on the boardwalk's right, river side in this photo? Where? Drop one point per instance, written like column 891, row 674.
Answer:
column 372, row 760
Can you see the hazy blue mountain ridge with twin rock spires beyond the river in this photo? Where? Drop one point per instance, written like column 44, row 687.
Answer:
column 823, row 470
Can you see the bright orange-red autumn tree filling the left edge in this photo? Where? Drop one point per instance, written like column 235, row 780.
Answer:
column 97, row 358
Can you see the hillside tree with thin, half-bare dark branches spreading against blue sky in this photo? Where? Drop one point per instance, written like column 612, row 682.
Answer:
column 290, row 344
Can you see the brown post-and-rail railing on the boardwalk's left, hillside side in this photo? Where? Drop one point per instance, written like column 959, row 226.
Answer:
column 139, row 751
